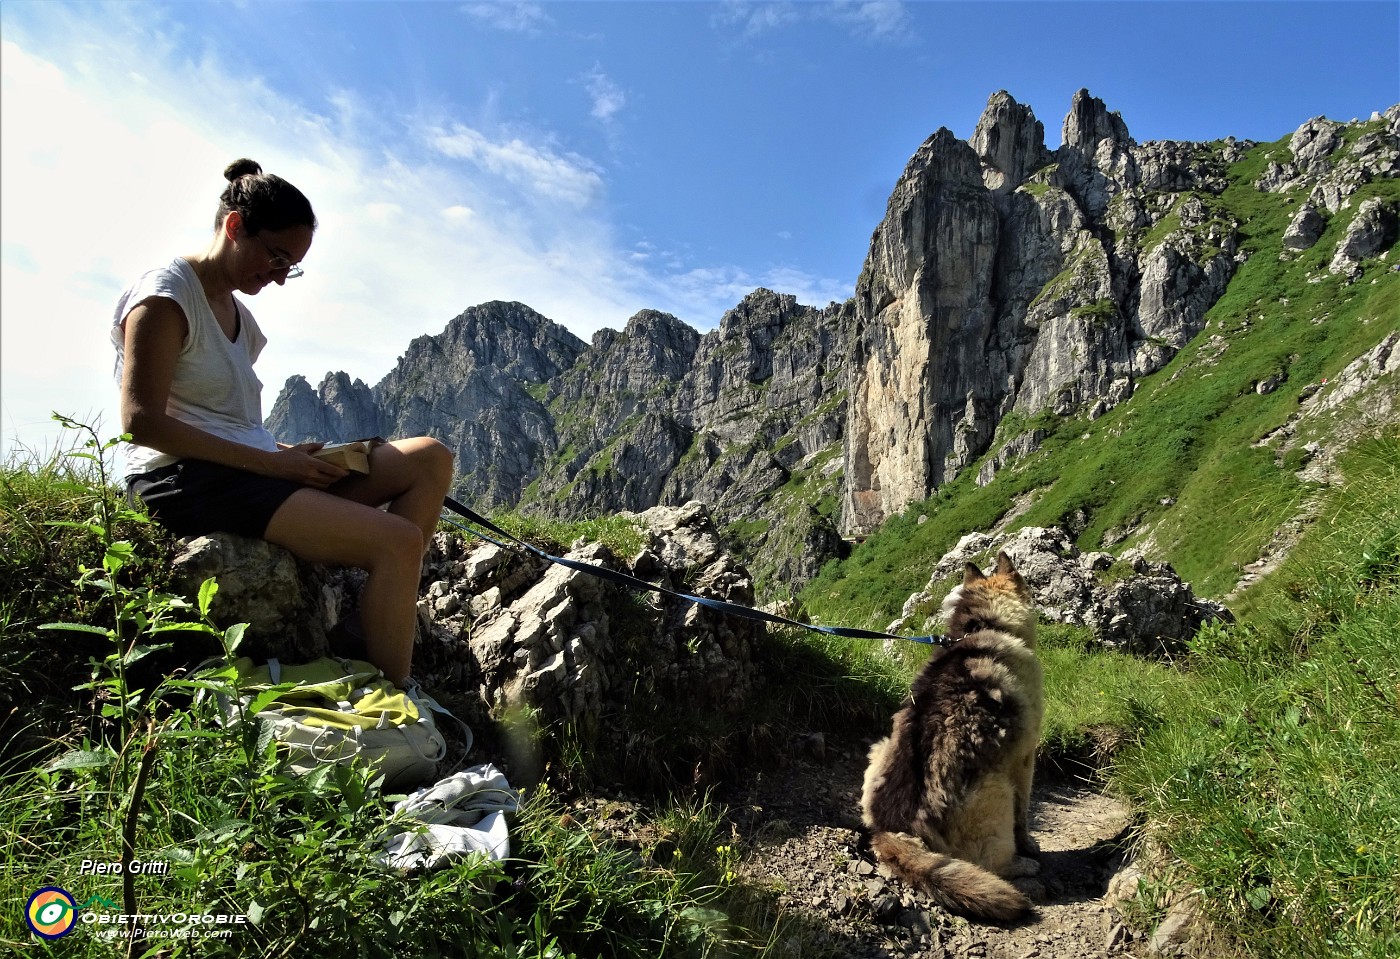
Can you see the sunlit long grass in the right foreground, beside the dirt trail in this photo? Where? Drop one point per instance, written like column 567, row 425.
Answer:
column 1270, row 776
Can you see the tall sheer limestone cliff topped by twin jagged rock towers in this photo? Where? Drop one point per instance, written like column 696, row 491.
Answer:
column 1010, row 278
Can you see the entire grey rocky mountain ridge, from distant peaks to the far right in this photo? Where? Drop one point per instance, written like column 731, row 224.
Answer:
column 1004, row 278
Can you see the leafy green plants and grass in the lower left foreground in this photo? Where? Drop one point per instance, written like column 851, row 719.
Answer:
column 166, row 779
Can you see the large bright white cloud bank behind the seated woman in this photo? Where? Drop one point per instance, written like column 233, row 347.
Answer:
column 114, row 135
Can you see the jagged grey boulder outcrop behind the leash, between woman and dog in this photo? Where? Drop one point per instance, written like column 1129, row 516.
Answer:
column 572, row 647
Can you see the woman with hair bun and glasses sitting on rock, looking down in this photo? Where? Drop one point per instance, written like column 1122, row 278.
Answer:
column 202, row 460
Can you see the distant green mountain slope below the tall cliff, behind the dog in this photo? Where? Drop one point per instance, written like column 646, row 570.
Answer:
column 1179, row 458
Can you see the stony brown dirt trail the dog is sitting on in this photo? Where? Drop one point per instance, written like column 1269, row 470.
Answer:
column 801, row 835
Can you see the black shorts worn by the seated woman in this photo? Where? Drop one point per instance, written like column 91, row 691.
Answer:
column 194, row 498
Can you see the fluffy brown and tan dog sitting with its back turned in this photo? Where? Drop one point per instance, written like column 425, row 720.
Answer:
column 948, row 793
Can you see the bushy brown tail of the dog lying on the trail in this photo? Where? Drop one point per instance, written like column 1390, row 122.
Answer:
column 954, row 884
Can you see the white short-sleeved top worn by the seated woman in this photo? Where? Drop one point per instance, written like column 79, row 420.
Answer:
column 215, row 387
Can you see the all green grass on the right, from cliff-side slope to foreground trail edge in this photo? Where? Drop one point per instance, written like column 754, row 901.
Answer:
column 1263, row 765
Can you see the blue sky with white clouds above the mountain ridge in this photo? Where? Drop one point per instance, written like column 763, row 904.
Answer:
column 587, row 159
